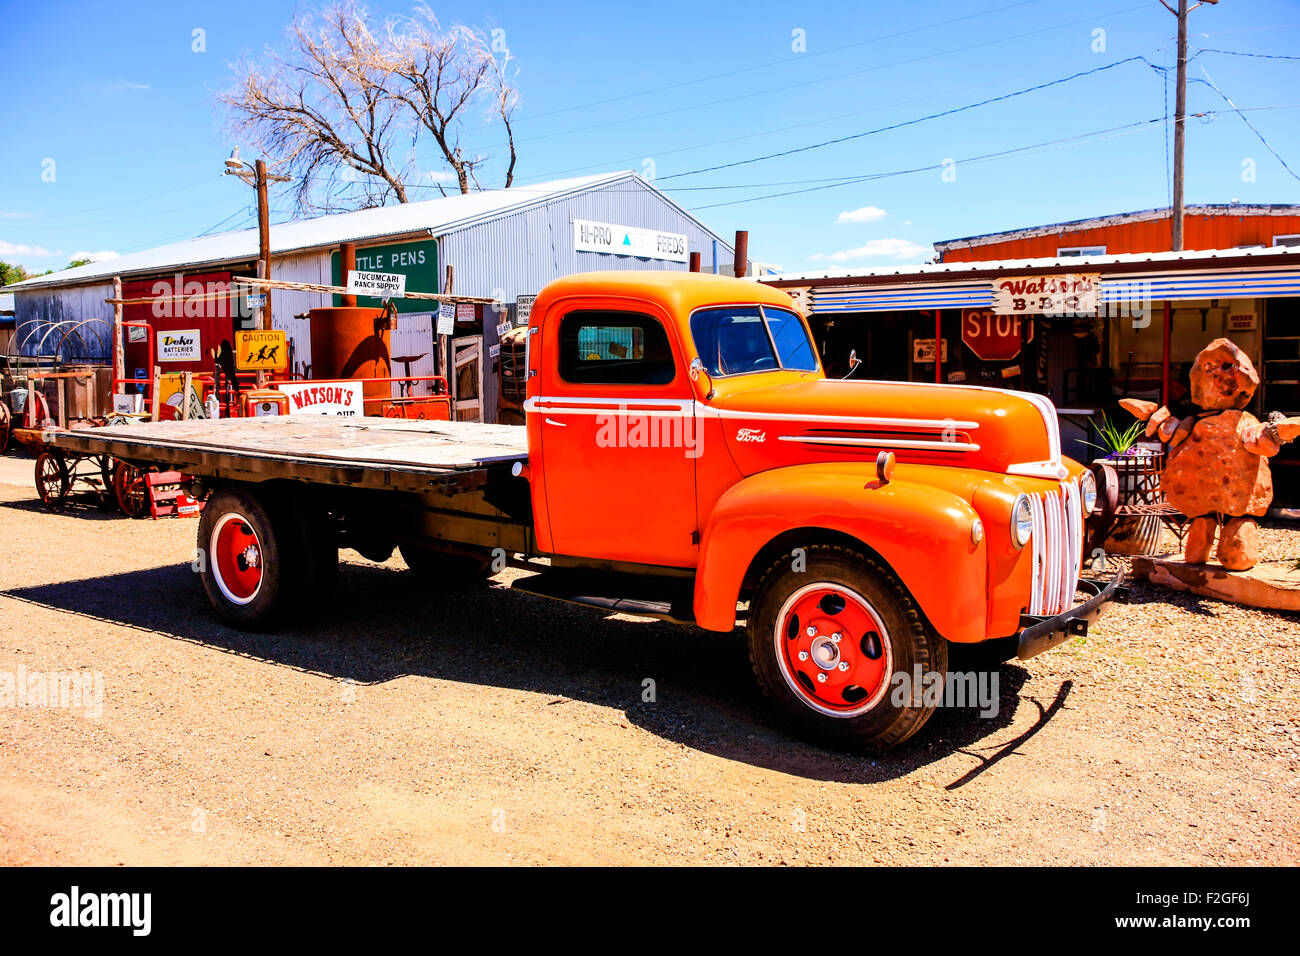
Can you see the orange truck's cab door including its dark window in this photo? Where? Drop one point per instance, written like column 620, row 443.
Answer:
column 618, row 436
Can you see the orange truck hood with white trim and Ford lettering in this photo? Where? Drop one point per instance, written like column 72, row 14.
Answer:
column 768, row 426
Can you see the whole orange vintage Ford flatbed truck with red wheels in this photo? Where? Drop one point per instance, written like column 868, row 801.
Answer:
column 684, row 457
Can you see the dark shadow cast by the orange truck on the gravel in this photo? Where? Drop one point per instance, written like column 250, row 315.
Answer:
column 382, row 624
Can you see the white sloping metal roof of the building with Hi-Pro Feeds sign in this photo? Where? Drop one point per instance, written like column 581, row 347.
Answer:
column 434, row 218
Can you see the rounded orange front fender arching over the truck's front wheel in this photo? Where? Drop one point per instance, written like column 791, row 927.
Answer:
column 921, row 531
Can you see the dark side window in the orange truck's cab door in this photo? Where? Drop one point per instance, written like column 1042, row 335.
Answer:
column 610, row 348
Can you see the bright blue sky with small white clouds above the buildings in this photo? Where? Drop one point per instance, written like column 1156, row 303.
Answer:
column 115, row 102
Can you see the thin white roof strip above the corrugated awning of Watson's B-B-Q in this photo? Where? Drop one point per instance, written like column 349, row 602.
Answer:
column 1206, row 257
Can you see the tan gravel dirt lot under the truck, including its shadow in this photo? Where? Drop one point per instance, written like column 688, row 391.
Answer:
column 401, row 726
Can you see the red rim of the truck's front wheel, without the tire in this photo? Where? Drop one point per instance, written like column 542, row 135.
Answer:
column 834, row 650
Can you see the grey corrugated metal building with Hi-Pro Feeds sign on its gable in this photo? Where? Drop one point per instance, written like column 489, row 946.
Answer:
column 501, row 244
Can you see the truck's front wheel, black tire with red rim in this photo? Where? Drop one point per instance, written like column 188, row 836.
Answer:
column 827, row 642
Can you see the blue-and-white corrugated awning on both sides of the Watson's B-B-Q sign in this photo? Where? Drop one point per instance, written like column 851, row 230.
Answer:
column 1156, row 287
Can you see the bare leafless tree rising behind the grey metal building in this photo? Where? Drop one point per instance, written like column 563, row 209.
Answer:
column 341, row 109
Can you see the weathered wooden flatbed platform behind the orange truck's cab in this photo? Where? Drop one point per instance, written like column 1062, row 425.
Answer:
column 369, row 453
